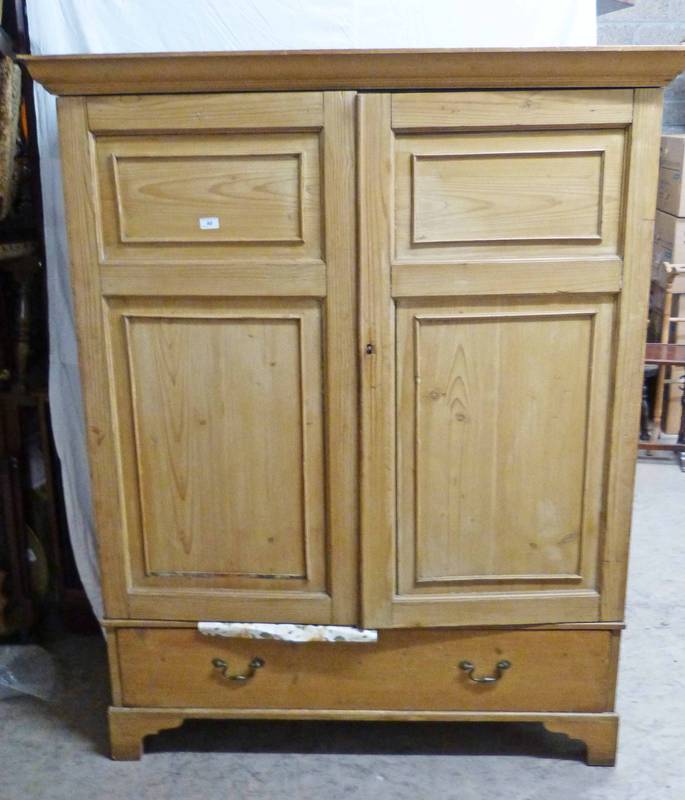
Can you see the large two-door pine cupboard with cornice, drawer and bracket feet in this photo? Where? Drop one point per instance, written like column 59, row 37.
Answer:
column 361, row 339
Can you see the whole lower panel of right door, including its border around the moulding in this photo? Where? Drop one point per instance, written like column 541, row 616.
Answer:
column 500, row 414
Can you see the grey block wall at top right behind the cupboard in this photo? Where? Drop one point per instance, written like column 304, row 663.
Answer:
column 649, row 22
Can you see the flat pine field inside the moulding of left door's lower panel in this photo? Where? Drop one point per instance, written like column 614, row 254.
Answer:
column 214, row 499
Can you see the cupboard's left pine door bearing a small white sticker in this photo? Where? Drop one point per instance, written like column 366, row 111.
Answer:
column 212, row 256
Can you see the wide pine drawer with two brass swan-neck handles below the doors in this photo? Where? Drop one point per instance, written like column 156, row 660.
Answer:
column 560, row 670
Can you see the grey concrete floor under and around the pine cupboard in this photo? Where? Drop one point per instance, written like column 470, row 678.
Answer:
column 59, row 751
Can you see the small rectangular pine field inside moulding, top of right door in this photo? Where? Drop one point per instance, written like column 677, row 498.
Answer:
column 481, row 197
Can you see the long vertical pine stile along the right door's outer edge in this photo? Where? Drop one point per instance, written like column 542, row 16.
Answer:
column 638, row 230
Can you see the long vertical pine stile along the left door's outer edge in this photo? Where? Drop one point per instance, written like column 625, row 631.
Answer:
column 79, row 192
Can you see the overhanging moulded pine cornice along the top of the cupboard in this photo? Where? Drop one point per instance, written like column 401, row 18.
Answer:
column 154, row 73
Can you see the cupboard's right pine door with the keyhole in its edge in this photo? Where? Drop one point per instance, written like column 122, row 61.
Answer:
column 504, row 267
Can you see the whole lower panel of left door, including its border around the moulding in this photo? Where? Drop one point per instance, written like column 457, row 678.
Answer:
column 222, row 451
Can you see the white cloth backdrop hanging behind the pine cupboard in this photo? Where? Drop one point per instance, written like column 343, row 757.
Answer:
column 117, row 26
